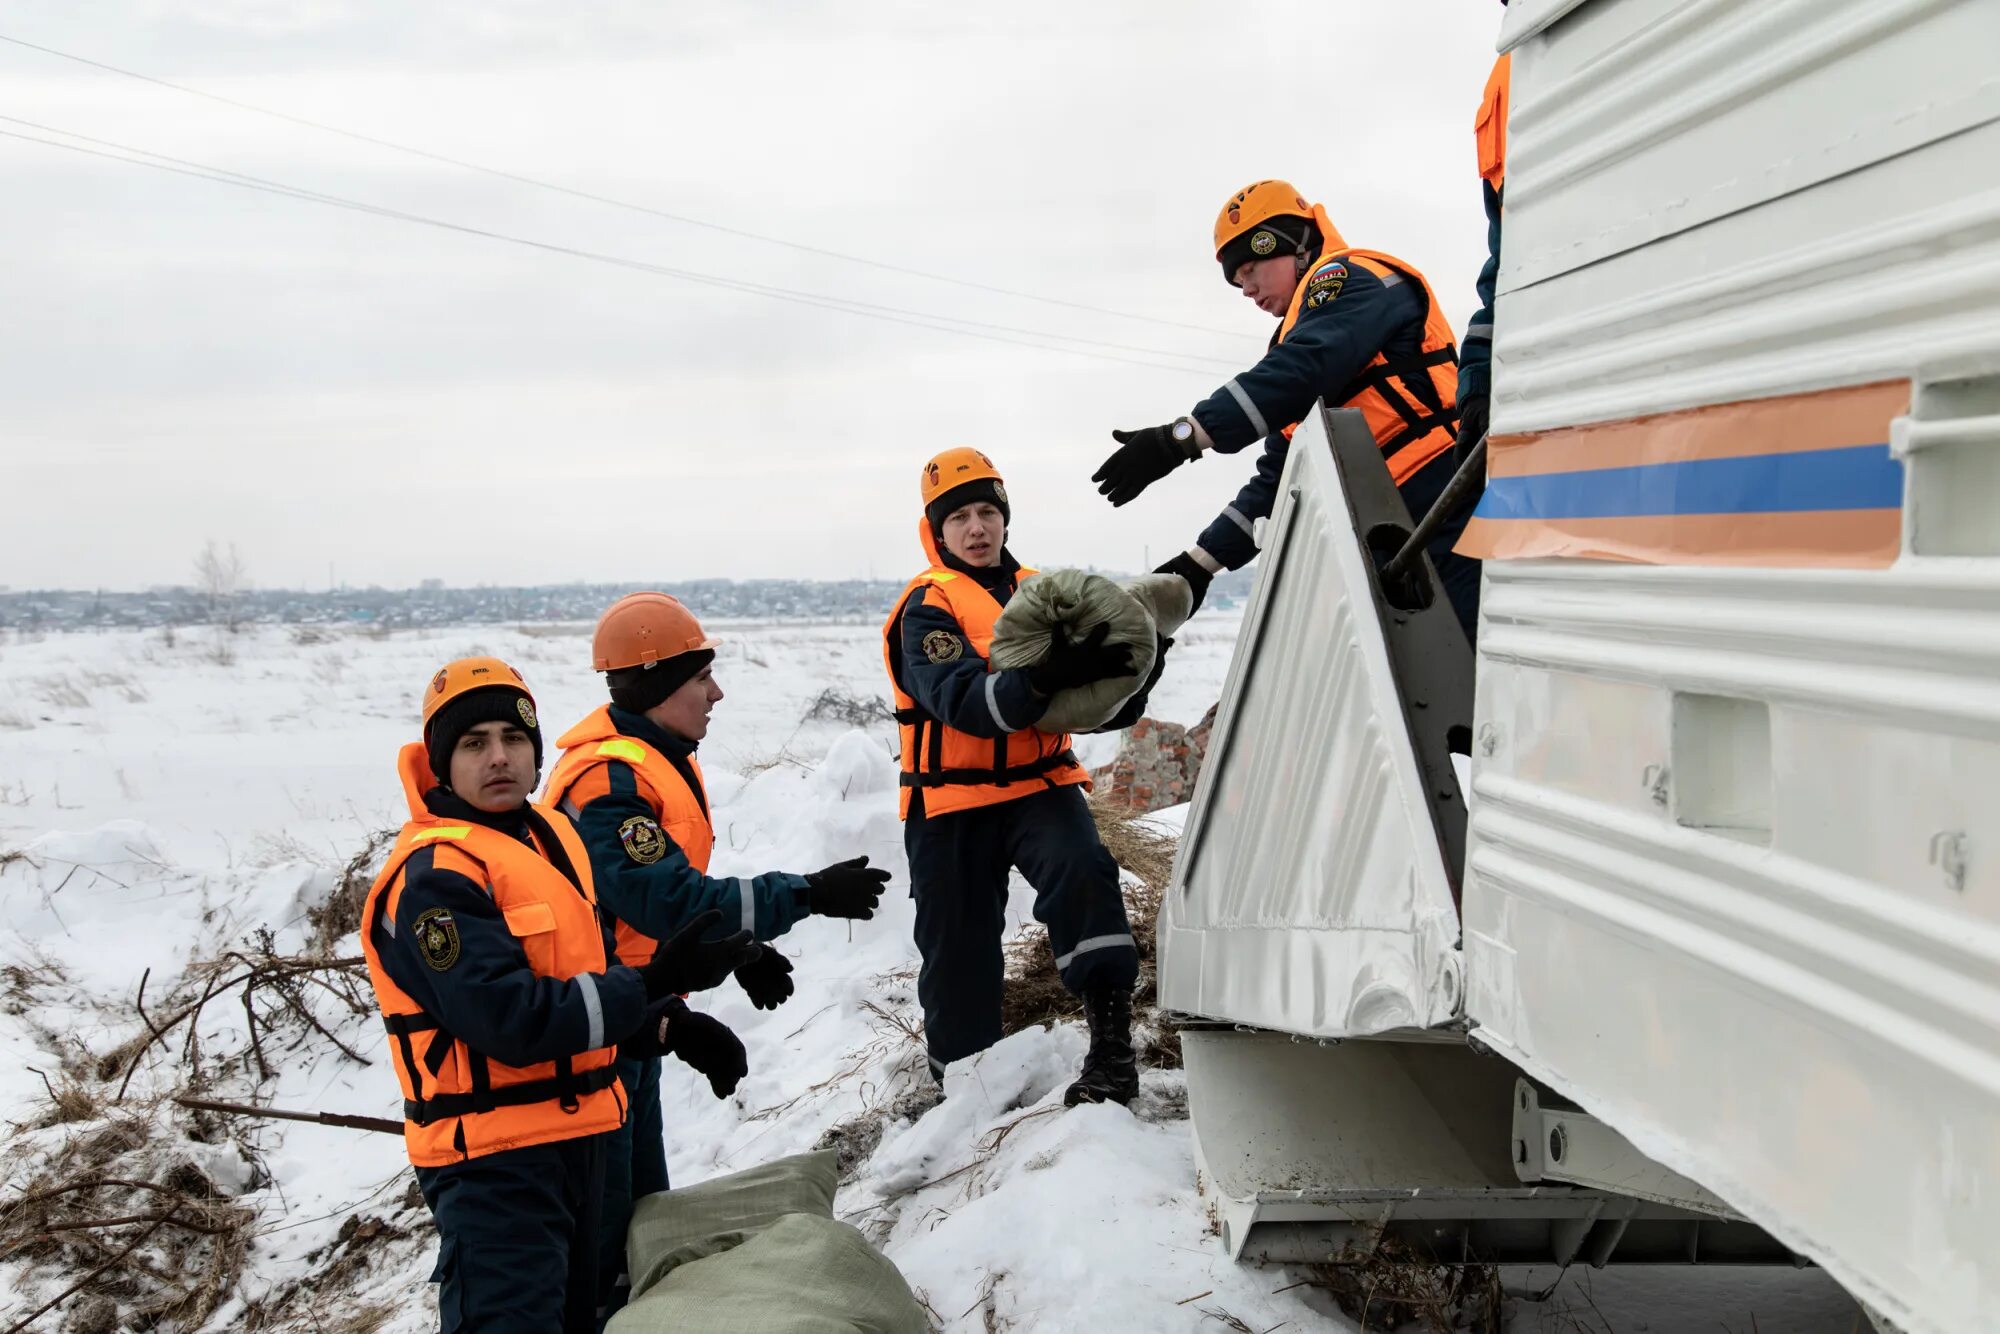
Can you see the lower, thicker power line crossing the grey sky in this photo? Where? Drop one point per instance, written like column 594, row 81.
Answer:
column 917, row 319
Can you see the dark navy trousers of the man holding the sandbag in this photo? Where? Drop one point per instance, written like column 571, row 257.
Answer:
column 959, row 867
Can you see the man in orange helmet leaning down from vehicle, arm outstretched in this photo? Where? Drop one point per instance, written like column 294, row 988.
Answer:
column 1359, row 329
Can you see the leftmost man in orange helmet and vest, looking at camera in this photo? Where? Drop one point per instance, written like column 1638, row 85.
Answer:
column 505, row 1011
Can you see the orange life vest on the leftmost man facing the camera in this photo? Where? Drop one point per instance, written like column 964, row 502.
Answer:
column 457, row 1103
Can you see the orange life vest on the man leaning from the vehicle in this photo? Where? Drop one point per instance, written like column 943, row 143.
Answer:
column 1413, row 403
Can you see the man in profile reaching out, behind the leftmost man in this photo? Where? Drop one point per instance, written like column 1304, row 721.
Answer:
column 635, row 789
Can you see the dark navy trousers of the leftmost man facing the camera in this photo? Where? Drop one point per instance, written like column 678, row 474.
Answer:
column 517, row 1239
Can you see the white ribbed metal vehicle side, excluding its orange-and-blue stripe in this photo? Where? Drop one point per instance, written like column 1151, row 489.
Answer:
column 1735, row 857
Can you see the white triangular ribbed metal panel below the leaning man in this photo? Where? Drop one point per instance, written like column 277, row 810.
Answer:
column 1309, row 895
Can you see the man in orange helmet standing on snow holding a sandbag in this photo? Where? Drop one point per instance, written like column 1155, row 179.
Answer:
column 987, row 791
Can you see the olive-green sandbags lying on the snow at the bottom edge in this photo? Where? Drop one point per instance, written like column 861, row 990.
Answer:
column 761, row 1251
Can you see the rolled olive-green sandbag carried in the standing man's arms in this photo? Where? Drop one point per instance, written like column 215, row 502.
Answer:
column 1139, row 615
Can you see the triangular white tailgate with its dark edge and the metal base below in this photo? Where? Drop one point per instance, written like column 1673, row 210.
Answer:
column 1311, row 933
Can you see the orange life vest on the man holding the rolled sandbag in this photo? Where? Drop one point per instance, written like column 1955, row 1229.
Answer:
column 955, row 769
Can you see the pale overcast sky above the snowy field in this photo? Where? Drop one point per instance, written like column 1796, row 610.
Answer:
column 387, row 401
